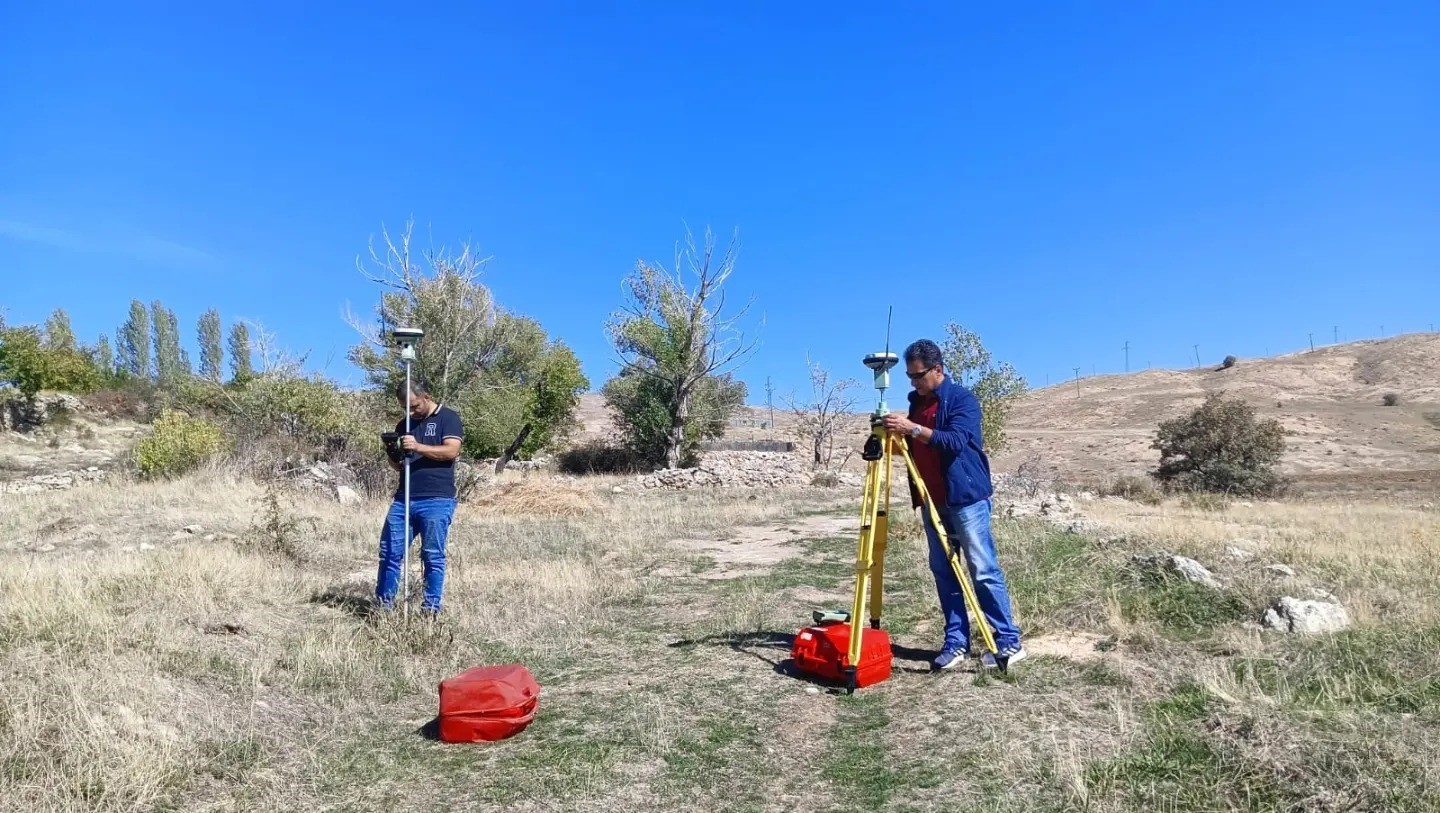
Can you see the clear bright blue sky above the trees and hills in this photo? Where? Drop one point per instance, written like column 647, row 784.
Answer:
column 1061, row 178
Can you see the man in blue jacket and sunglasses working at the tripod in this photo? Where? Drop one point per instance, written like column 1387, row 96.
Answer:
column 944, row 432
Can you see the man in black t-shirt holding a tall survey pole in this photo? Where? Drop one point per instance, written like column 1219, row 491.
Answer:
column 433, row 448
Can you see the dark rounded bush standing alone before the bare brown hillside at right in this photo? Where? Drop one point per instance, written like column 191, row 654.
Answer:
column 1222, row 448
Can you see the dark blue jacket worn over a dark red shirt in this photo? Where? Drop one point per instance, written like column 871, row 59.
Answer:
column 957, row 438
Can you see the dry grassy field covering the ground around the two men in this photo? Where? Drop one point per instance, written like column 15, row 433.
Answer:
column 204, row 676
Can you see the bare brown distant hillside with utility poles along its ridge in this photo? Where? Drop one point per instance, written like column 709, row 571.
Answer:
column 1330, row 399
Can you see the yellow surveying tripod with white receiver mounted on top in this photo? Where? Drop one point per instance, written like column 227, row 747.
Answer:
column 875, row 526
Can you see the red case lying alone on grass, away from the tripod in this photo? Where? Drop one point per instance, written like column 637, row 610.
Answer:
column 487, row 703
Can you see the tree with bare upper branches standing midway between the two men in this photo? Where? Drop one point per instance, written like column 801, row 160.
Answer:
column 676, row 333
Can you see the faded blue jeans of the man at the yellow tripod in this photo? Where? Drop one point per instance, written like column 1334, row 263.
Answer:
column 968, row 530
